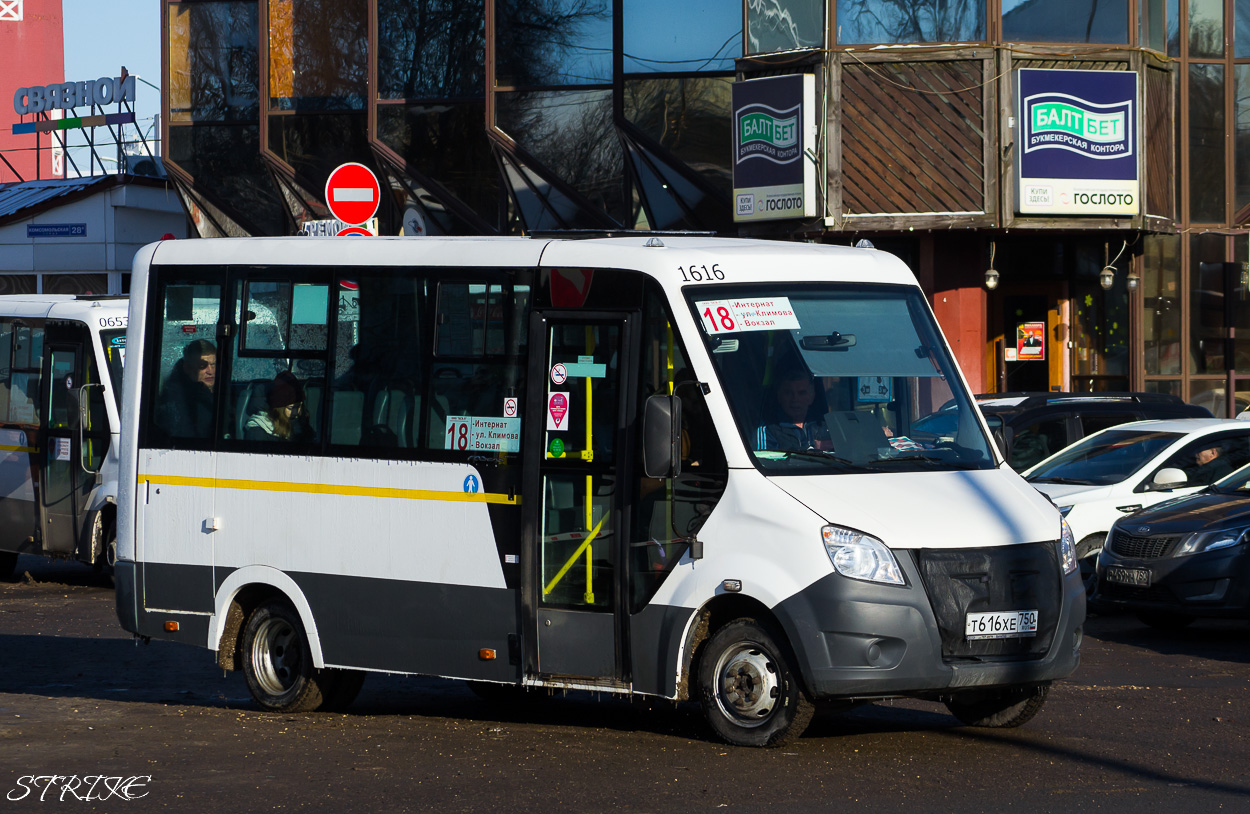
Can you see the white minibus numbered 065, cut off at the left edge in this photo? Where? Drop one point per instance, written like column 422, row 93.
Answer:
column 61, row 362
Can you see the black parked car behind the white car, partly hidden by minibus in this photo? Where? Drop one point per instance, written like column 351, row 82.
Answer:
column 1031, row 427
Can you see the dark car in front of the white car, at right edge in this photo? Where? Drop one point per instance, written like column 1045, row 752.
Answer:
column 1182, row 560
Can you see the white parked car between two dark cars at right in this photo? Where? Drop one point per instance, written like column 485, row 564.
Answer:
column 1131, row 467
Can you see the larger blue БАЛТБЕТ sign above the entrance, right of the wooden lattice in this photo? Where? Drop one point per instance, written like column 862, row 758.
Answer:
column 1078, row 144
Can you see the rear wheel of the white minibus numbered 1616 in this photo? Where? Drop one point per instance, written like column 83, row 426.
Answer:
column 278, row 663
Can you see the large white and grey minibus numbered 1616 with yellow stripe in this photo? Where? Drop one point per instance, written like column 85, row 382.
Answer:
column 672, row 467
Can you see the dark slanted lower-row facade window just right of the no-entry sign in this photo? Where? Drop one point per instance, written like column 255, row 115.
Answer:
column 448, row 144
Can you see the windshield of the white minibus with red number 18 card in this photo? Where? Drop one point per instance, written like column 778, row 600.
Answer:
column 836, row 378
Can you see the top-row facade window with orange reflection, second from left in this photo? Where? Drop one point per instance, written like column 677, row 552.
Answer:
column 318, row 54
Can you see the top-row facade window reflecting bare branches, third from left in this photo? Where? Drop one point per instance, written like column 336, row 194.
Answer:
column 431, row 49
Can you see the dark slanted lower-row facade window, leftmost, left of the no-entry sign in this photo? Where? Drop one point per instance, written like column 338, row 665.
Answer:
column 227, row 166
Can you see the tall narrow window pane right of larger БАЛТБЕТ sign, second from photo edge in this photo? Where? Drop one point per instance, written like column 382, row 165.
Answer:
column 1207, row 143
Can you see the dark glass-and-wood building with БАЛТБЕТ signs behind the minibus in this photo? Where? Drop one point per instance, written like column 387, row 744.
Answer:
column 511, row 117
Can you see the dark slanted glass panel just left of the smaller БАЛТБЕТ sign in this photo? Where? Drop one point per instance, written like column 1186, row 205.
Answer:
column 689, row 118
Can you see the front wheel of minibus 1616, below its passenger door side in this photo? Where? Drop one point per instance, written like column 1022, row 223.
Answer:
column 748, row 688
